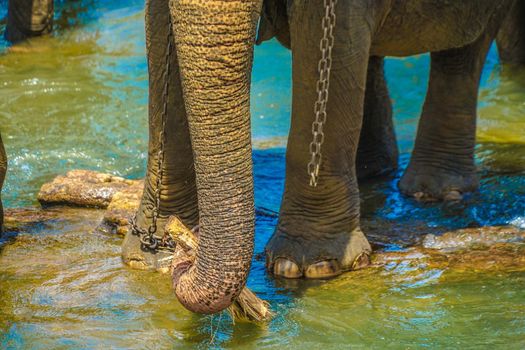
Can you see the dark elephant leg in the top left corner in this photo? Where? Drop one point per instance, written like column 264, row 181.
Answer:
column 29, row 18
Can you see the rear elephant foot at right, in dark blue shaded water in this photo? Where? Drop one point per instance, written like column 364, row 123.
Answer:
column 432, row 185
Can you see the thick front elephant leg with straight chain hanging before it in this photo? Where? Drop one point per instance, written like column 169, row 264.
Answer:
column 318, row 233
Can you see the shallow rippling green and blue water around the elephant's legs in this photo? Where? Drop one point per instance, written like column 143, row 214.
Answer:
column 78, row 100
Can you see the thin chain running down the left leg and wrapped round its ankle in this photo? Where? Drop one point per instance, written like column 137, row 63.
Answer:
column 148, row 238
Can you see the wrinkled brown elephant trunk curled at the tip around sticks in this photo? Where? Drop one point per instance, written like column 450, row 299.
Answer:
column 214, row 41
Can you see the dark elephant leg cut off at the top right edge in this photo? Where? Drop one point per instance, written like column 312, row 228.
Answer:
column 511, row 37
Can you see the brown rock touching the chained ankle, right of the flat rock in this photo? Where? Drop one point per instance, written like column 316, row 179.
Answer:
column 122, row 207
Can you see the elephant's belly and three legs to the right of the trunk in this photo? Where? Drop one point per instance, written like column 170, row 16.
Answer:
column 458, row 36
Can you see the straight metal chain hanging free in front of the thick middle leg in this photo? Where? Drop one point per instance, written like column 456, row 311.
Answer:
column 323, row 84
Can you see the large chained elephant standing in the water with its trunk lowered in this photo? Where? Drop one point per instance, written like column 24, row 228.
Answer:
column 206, row 165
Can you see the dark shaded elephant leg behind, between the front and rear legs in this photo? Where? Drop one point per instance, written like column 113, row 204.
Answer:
column 377, row 151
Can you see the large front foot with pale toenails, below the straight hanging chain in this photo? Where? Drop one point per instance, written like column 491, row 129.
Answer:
column 297, row 257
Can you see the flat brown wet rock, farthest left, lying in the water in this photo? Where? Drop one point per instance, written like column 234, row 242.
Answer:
column 83, row 188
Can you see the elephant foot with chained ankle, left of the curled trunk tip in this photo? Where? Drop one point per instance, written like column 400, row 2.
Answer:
column 138, row 258
